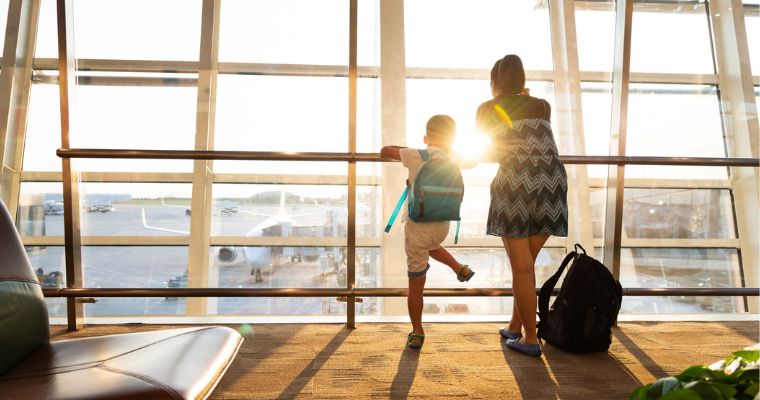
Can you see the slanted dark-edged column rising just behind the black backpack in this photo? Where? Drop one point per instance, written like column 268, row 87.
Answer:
column 613, row 225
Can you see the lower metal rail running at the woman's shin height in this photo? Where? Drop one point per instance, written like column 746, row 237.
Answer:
column 367, row 292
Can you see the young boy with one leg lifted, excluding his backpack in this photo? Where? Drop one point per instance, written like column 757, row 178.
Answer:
column 423, row 239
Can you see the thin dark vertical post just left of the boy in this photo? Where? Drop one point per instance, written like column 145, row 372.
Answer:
column 351, row 233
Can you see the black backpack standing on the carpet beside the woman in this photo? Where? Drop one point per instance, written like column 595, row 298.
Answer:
column 586, row 308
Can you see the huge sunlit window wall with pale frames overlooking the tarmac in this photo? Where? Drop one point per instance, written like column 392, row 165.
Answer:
column 348, row 77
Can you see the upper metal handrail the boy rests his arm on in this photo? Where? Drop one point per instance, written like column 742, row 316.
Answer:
column 375, row 157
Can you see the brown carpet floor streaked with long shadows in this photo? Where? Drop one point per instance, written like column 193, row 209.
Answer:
column 457, row 361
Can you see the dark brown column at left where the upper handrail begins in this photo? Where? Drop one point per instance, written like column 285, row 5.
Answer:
column 69, row 173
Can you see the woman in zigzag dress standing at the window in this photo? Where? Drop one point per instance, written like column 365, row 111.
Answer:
column 529, row 192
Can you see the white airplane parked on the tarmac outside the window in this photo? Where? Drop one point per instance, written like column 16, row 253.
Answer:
column 259, row 258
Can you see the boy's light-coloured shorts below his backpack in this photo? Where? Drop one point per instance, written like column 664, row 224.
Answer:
column 420, row 238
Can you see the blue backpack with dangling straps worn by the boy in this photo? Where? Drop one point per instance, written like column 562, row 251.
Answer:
column 437, row 192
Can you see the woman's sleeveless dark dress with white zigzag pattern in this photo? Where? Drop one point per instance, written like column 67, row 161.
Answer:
column 529, row 192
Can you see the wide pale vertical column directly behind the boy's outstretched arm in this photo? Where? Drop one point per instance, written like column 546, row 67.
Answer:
column 393, row 122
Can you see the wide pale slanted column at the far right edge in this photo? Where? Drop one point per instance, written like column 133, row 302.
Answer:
column 740, row 119
